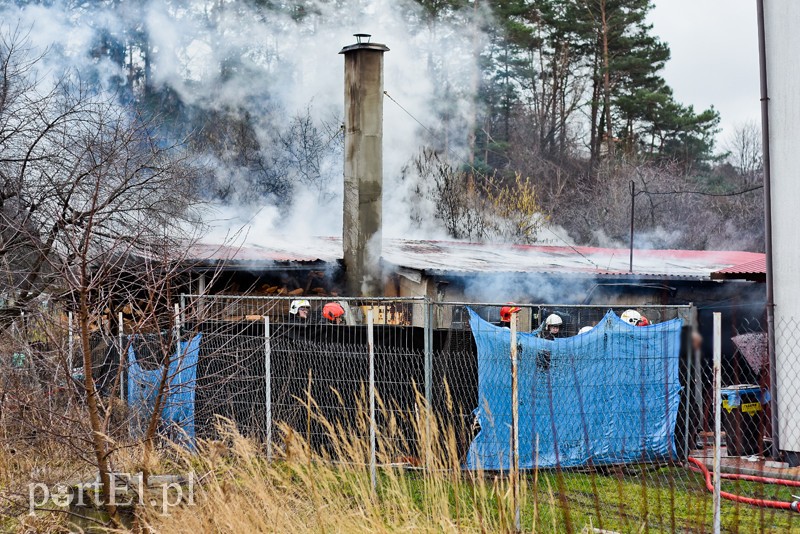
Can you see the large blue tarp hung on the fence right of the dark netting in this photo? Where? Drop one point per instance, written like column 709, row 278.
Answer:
column 607, row 396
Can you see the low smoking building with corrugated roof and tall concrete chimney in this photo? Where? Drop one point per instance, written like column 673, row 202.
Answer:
column 362, row 262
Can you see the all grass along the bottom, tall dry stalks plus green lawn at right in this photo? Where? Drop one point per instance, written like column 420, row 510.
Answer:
column 306, row 489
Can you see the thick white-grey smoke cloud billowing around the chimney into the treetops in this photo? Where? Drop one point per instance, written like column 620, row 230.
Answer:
column 279, row 69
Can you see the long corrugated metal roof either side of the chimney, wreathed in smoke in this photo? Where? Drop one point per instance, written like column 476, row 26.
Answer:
column 473, row 258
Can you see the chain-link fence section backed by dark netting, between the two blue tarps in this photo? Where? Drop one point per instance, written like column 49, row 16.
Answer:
column 264, row 367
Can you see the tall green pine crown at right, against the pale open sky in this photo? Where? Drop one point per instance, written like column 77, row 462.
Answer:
column 631, row 106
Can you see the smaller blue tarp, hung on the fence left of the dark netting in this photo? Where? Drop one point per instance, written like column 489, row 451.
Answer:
column 177, row 412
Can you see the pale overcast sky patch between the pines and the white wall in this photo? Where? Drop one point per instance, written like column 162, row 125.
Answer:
column 714, row 46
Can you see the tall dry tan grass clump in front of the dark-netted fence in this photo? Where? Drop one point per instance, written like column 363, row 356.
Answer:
column 305, row 489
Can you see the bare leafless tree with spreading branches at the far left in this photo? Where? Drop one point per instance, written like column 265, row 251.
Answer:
column 93, row 208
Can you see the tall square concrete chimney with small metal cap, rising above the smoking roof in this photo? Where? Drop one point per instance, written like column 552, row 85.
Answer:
column 363, row 165
